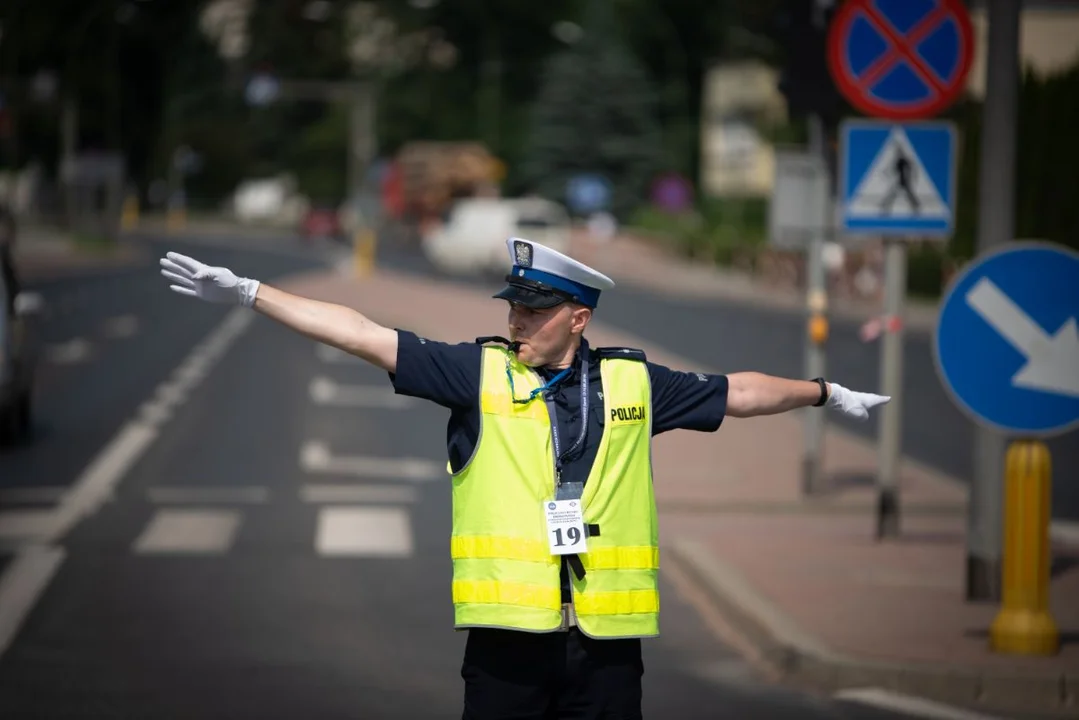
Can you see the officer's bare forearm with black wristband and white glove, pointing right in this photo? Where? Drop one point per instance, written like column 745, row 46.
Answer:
column 752, row 395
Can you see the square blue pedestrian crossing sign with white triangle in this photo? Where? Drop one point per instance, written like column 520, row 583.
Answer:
column 897, row 179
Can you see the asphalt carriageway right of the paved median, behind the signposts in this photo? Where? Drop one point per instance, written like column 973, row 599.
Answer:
column 730, row 337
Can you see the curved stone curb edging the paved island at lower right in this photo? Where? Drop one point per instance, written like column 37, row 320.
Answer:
column 803, row 661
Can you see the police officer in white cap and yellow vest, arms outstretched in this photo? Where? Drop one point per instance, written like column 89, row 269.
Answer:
column 555, row 539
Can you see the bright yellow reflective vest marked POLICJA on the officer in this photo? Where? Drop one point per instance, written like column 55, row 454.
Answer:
column 504, row 575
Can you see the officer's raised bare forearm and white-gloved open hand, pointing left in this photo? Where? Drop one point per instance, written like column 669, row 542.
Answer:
column 325, row 322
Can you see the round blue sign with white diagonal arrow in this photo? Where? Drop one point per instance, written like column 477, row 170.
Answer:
column 1007, row 346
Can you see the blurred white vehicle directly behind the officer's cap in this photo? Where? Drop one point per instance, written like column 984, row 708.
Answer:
column 473, row 240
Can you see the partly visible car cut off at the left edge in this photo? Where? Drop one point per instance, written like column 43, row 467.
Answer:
column 19, row 350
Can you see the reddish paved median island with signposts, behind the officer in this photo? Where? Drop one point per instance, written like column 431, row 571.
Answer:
column 825, row 605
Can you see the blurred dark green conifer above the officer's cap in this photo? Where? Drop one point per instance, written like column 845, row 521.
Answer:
column 595, row 114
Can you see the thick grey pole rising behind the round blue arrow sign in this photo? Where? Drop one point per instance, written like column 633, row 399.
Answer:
column 996, row 225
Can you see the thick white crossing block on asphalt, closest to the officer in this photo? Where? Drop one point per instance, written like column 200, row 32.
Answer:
column 364, row 533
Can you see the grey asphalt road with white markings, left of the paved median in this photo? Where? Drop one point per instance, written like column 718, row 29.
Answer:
column 237, row 569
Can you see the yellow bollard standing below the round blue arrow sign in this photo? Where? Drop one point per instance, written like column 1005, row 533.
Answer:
column 1025, row 627
